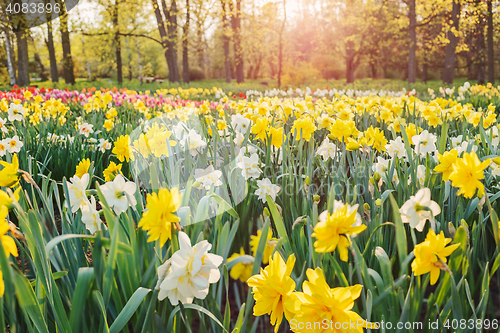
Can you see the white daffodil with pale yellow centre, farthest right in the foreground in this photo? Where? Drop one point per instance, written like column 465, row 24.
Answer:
column 419, row 208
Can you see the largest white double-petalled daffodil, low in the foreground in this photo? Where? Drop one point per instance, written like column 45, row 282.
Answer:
column 189, row 272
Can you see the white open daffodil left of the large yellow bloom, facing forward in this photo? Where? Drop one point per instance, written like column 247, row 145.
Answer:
column 119, row 194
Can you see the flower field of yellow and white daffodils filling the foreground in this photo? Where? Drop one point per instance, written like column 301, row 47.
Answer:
column 199, row 211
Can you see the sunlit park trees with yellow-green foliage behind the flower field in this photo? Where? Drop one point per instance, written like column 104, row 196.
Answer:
column 295, row 42
